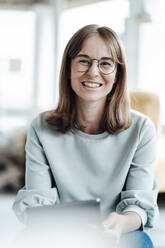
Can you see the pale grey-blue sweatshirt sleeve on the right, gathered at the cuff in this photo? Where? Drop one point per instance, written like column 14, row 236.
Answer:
column 141, row 190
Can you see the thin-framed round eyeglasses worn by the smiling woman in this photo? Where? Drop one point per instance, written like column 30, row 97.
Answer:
column 105, row 65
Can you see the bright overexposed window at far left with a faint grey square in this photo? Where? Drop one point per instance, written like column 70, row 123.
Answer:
column 16, row 65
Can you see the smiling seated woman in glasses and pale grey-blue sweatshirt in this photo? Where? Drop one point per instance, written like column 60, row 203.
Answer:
column 92, row 144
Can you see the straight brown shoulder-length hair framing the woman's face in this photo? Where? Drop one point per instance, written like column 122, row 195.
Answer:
column 116, row 116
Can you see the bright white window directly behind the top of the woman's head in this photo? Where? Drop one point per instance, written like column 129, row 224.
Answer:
column 109, row 13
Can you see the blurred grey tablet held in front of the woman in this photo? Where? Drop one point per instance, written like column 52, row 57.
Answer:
column 72, row 214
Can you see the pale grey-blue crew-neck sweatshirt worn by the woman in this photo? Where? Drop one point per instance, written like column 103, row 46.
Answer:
column 118, row 169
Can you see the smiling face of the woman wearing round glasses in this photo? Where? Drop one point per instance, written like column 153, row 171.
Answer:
column 92, row 85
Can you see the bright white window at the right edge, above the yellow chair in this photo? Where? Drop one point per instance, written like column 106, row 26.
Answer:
column 152, row 53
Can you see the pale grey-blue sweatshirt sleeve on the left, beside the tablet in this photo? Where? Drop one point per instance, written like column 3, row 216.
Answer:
column 38, row 190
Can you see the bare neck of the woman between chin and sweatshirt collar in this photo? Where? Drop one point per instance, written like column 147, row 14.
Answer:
column 89, row 115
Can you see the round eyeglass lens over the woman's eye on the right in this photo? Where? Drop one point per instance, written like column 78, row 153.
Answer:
column 106, row 66
